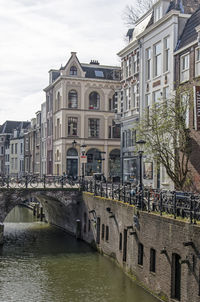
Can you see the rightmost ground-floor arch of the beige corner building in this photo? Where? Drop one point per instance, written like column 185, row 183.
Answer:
column 114, row 165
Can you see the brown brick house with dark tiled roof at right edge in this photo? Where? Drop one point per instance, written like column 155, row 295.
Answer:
column 187, row 79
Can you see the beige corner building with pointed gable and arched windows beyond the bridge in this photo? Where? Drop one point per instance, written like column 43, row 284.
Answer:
column 86, row 139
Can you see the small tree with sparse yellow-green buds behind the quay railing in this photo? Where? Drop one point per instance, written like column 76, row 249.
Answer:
column 167, row 135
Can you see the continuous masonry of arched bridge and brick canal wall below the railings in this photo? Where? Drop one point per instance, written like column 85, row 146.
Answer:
column 160, row 252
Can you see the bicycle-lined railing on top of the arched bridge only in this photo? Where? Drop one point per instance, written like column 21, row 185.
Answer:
column 35, row 181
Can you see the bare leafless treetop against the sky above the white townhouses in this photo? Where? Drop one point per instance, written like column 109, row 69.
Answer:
column 132, row 13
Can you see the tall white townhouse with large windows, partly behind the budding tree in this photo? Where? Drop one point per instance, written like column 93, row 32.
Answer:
column 158, row 42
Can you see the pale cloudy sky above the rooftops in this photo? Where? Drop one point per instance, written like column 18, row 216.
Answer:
column 39, row 35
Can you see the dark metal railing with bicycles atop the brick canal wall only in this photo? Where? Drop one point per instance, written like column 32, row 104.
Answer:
column 185, row 205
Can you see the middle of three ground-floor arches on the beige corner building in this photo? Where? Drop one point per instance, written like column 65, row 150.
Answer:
column 94, row 162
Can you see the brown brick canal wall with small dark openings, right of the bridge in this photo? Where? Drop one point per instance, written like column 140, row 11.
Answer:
column 163, row 254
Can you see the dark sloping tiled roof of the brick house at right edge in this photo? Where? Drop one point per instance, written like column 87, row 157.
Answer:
column 189, row 33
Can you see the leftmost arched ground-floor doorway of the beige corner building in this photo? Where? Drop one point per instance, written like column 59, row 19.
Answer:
column 72, row 163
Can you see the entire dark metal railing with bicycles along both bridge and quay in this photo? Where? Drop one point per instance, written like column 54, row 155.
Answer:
column 172, row 203
